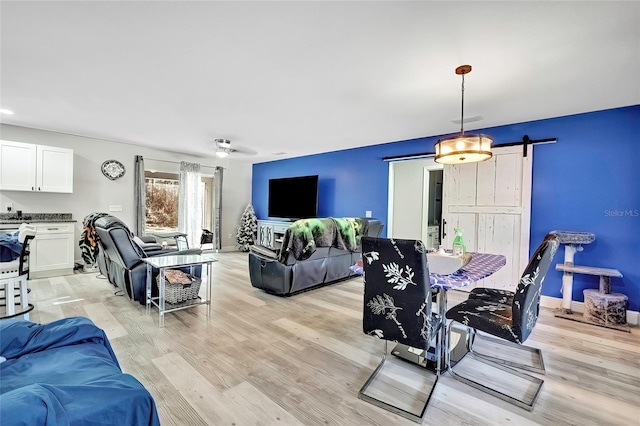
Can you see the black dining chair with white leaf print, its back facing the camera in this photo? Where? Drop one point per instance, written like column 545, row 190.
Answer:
column 397, row 308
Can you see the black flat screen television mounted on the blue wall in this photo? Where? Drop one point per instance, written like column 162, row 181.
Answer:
column 293, row 197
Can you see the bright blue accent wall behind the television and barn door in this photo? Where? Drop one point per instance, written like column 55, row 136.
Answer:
column 588, row 181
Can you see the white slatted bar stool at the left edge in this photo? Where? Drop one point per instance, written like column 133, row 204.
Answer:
column 14, row 276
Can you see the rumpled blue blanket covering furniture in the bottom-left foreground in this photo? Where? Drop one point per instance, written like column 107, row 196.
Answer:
column 65, row 373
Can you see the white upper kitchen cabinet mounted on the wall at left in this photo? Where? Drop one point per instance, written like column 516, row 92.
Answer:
column 38, row 168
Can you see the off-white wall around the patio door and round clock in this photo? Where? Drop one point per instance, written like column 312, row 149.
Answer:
column 93, row 192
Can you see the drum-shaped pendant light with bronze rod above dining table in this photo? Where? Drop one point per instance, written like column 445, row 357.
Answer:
column 463, row 148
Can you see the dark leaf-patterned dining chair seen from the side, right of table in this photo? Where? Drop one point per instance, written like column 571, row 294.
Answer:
column 510, row 316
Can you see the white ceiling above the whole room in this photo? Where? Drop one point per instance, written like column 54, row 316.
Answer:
column 308, row 77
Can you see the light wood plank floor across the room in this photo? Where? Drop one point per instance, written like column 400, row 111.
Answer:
column 267, row 360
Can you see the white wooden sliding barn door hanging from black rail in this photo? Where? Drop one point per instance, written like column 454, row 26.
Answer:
column 491, row 202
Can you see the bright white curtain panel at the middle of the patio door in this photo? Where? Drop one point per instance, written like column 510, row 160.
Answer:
column 190, row 203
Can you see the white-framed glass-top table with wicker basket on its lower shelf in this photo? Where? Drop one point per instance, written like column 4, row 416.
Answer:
column 176, row 261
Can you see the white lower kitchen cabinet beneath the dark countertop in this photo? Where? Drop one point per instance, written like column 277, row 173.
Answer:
column 52, row 250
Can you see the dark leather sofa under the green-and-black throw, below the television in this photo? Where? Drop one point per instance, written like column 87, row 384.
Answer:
column 286, row 275
